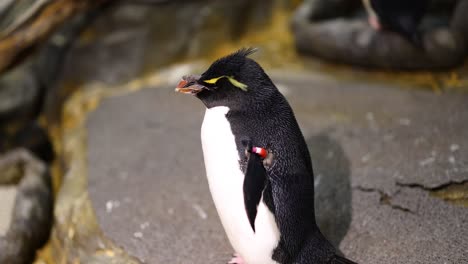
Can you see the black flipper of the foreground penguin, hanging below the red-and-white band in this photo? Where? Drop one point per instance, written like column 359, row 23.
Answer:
column 254, row 183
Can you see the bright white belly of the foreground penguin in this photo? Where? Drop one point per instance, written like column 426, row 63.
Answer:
column 226, row 180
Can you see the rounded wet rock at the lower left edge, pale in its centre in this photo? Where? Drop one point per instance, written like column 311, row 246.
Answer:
column 32, row 214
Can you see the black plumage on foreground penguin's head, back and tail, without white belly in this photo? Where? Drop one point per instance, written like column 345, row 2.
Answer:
column 260, row 113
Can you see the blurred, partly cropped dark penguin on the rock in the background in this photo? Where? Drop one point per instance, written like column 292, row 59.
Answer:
column 401, row 16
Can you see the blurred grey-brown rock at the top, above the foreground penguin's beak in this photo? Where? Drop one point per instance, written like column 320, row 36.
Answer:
column 130, row 39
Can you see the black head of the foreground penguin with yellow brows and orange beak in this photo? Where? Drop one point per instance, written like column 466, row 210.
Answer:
column 233, row 81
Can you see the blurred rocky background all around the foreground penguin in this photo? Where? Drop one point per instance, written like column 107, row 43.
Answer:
column 100, row 162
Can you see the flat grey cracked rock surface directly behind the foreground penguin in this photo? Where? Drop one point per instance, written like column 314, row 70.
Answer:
column 378, row 154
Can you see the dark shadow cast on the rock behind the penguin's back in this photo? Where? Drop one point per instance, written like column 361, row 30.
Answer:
column 332, row 187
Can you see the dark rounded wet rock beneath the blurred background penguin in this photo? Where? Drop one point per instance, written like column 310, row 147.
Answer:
column 346, row 37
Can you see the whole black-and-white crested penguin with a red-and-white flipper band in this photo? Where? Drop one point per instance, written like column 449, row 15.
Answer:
column 258, row 165
